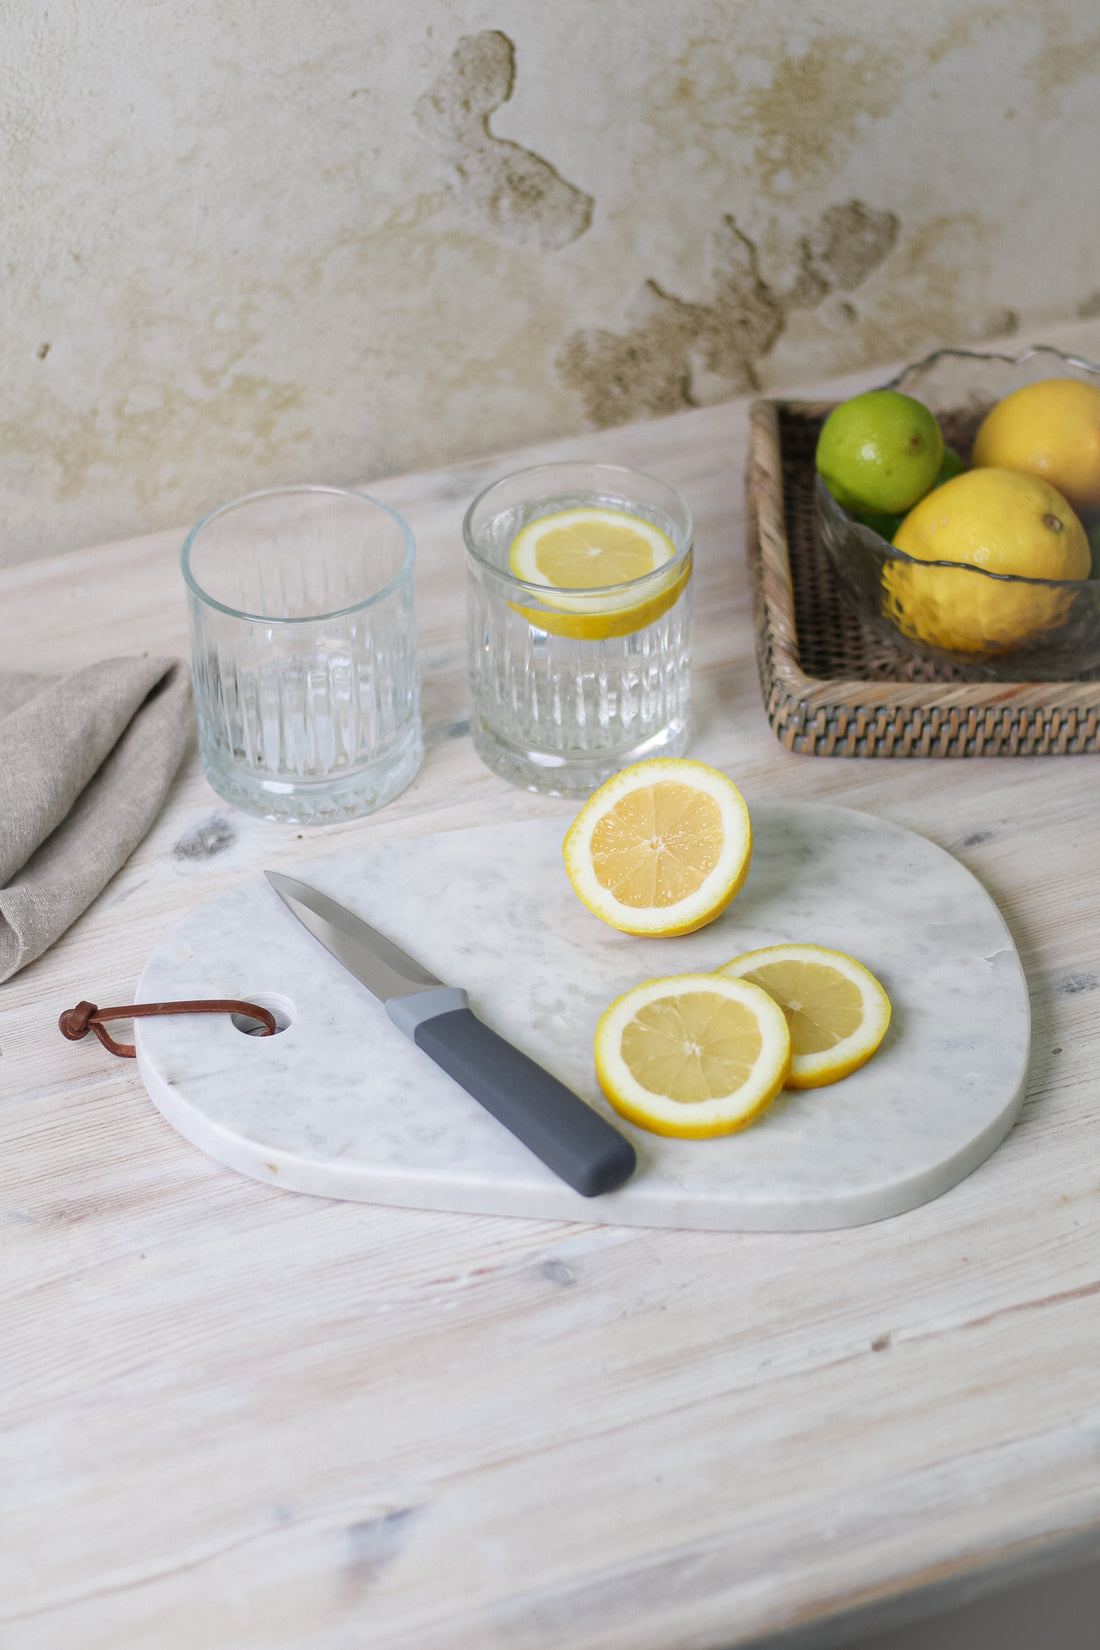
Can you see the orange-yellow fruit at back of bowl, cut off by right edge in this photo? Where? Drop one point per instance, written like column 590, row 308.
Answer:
column 1048, row 430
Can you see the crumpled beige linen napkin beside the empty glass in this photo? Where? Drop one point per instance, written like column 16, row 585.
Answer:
column 85, row 765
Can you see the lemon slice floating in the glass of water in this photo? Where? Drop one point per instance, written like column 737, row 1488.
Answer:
column 580, row 560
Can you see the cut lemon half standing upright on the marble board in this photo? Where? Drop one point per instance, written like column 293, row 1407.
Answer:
column 662, row 847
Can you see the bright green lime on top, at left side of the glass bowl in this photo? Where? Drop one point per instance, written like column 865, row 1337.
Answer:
column 880, row 453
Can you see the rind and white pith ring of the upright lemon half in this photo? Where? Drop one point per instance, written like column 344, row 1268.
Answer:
column 718, row 889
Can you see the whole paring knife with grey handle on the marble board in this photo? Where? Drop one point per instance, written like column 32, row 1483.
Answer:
column 552, row 1121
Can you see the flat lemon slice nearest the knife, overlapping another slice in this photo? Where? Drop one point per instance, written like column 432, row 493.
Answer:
column 697, row 1055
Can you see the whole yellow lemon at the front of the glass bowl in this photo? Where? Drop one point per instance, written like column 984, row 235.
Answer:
column 1004, row 522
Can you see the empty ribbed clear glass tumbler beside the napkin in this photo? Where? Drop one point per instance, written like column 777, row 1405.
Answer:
column 304, row 653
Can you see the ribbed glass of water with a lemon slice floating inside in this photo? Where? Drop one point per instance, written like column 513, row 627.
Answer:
column 571, row 684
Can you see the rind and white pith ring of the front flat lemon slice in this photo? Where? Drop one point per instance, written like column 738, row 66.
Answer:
column 700, row 1120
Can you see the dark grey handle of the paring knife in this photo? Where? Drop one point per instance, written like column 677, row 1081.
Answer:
column 552, row 1121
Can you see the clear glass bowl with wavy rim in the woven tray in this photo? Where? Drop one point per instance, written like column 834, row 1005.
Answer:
column 947, row 611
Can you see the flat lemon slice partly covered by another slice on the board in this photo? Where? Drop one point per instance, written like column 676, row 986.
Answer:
column 837, row 1009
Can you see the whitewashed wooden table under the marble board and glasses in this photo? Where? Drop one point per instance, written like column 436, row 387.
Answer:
column 235, row 1418
